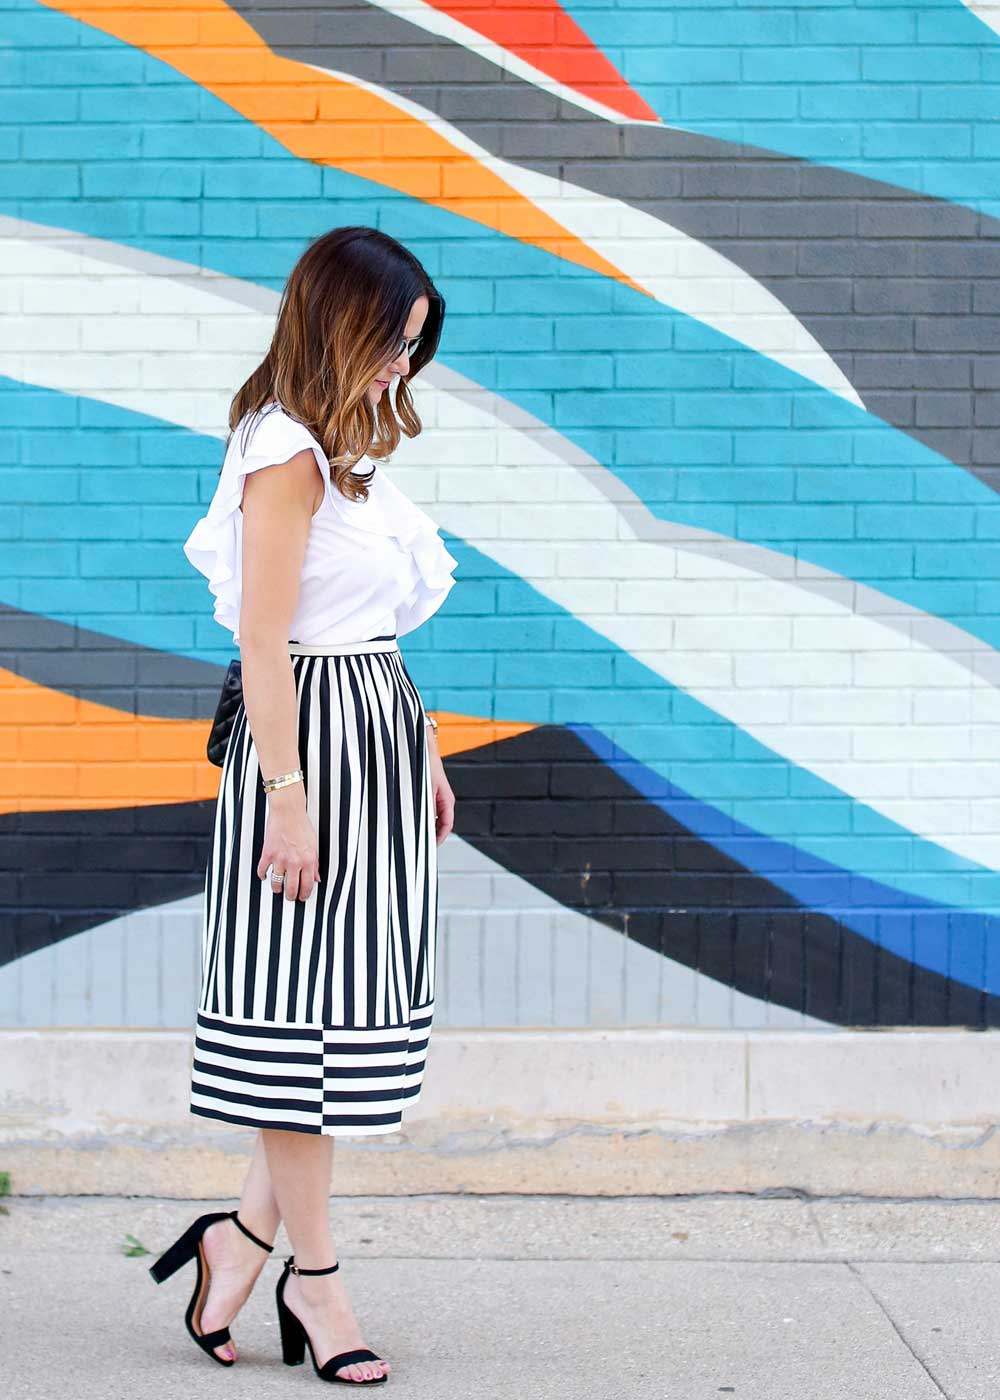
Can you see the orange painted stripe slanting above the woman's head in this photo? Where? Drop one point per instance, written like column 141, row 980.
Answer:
column 330, row 121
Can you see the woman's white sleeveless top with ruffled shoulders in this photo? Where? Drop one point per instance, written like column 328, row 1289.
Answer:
column 372, row 568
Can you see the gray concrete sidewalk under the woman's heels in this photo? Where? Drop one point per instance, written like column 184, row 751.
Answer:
column 659, row 1298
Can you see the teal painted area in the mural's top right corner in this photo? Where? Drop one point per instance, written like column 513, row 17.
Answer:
column 905, row 93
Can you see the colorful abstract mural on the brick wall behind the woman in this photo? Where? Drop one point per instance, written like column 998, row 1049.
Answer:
column 714, row 435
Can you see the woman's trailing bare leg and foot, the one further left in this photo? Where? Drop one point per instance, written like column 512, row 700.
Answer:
column 236, row 1262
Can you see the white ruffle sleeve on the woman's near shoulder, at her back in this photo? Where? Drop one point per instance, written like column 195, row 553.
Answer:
column 214, row 545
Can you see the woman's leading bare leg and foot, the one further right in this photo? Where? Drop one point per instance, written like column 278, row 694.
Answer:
column 300, row 1174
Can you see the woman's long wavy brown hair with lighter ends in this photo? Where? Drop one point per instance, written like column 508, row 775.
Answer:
column 342, row 318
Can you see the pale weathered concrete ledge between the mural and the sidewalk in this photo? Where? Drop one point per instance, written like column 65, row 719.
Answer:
column 581, row 1112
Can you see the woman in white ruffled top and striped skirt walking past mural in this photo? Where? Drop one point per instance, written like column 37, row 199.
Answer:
column 319, row 986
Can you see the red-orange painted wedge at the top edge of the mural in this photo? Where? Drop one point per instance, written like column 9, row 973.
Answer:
column 543, row 34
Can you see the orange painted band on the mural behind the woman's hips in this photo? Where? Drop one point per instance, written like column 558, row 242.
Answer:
column 62, row 754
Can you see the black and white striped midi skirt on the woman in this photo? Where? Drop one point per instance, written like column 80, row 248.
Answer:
column 316, row 1014
